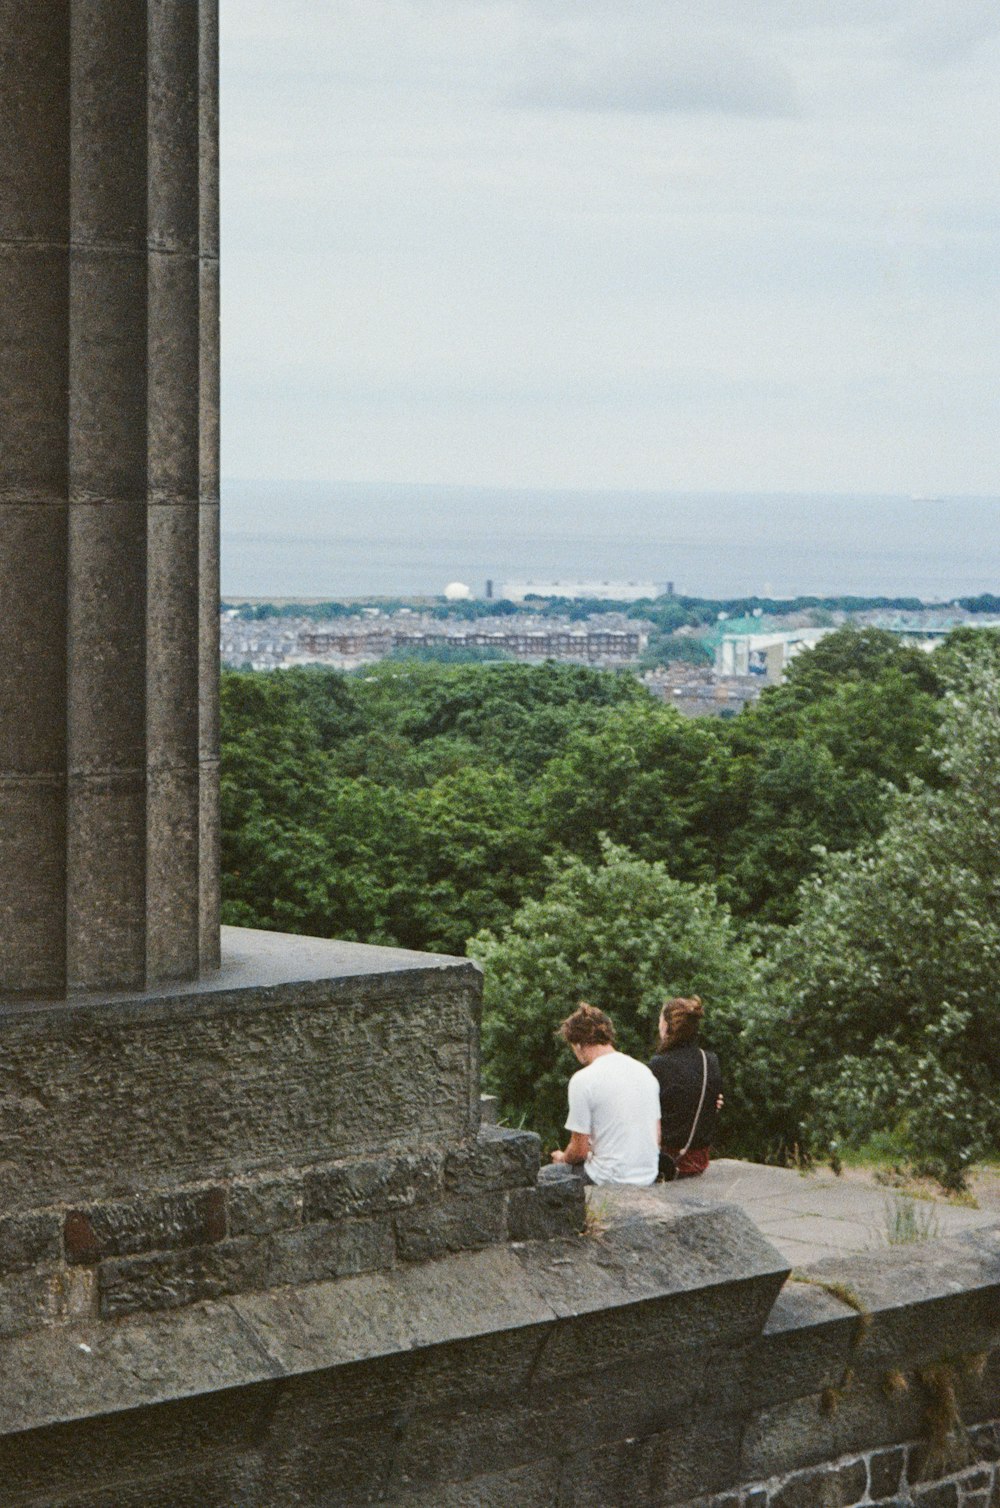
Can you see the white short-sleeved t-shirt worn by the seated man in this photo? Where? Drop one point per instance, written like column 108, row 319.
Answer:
column 616, row 1103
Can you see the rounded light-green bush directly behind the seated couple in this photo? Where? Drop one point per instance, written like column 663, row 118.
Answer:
column 624, row 936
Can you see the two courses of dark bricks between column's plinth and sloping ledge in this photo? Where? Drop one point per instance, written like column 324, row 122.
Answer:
column 236, row 1236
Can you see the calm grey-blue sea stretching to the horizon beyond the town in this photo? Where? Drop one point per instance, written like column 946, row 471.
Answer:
column 339, row 541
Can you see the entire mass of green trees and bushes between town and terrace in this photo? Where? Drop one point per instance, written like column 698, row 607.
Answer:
column 818, row 869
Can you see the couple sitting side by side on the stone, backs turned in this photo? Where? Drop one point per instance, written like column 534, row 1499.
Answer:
column 633, row 1124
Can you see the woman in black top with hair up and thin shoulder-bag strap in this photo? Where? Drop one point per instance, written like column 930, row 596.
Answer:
column 679, row 1070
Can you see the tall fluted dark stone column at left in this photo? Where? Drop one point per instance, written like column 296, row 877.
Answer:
column 109, row 494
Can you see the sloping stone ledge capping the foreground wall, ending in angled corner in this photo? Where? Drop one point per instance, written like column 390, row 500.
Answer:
column 538, row 1293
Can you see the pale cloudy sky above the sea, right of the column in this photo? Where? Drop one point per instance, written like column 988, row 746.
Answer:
column 737, row 245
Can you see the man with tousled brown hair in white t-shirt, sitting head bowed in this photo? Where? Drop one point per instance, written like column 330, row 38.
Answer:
column 615, row 1108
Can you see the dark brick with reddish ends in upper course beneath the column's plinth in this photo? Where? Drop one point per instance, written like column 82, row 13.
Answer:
column 155, row 1224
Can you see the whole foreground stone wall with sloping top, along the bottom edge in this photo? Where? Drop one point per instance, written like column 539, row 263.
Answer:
column 660, row 1359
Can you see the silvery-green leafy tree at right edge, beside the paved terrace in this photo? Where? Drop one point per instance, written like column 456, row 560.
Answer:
column 879, row 1008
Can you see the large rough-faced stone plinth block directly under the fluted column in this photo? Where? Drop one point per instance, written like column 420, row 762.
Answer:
column 298, row 1052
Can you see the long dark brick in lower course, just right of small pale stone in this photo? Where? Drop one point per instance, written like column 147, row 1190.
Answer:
column 171, row 1280
